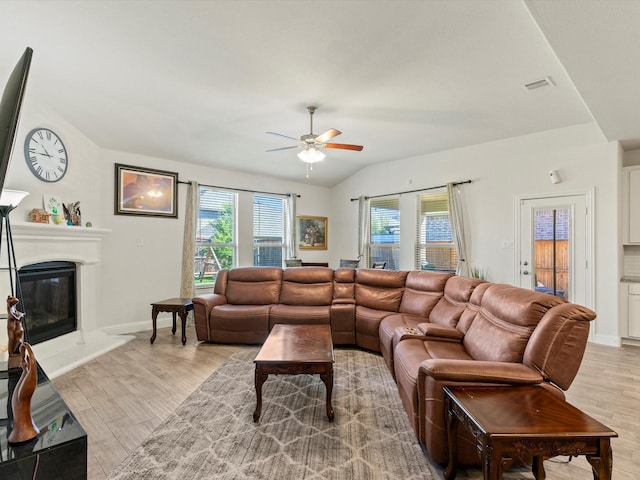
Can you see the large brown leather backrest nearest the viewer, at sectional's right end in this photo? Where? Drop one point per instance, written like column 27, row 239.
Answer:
column 507, row 317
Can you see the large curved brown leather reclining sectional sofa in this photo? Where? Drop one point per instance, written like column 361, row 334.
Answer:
column 433, row 329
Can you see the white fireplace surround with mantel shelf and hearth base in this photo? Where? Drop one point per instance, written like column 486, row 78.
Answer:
column 37, row 242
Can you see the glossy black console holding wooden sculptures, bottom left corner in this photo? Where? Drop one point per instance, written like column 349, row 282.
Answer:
column 59, row 451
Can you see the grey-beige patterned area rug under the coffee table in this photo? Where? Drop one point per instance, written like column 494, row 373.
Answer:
column 212, row 434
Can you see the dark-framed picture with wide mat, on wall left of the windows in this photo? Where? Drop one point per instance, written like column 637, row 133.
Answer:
column 145, row 191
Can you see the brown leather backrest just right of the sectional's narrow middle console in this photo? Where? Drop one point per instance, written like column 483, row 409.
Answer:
column 380, row 289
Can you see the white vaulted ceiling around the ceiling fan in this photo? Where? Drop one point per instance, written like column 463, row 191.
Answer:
column 203, row 81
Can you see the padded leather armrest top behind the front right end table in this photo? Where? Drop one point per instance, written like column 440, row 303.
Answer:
column 478, row 371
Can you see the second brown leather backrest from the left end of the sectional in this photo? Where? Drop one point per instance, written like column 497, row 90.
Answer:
column 307, row 286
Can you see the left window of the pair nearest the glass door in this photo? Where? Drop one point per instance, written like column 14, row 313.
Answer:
column 384, row 233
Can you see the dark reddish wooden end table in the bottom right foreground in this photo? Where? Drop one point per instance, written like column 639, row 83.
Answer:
column 513, row 422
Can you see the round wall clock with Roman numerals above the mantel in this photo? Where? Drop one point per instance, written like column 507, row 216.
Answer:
column 46, row 155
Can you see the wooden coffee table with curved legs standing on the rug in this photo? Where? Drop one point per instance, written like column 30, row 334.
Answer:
column 294, row 350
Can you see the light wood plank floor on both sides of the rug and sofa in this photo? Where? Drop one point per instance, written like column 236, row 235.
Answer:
column 121, row 396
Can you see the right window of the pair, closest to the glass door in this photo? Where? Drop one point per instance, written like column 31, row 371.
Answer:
column 435, row 249
